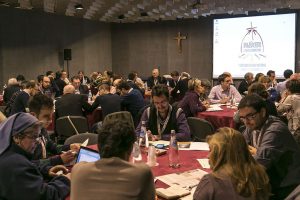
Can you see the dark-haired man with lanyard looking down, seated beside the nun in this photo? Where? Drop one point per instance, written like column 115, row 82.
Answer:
column 41, row 107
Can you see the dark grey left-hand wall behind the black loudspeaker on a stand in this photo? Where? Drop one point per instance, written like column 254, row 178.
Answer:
column 32, row 43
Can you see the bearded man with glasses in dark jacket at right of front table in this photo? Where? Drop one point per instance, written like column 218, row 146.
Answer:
column 271, row 144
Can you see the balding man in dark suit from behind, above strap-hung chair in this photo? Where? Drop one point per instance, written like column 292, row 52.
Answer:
column 72, row 104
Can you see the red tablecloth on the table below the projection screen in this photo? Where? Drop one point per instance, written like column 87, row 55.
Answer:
column 219, row 118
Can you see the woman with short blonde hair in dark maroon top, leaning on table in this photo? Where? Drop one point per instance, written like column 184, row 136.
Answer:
column 191, row 103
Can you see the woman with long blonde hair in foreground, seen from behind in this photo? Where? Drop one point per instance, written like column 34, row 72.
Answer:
column 235, row 174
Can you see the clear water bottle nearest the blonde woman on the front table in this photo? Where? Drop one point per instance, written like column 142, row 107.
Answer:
column 173, row 151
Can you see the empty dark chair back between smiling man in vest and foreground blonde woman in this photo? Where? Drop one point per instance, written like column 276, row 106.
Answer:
column 199, row 128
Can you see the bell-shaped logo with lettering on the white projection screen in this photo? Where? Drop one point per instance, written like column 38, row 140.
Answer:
column 252, row 44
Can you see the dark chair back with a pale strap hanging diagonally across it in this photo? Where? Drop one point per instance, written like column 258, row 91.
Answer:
column 71, row 125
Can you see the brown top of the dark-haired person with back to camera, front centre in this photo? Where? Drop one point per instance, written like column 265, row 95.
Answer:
column 113, row 179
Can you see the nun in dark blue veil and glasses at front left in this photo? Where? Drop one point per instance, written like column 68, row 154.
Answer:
column 20, row 178
